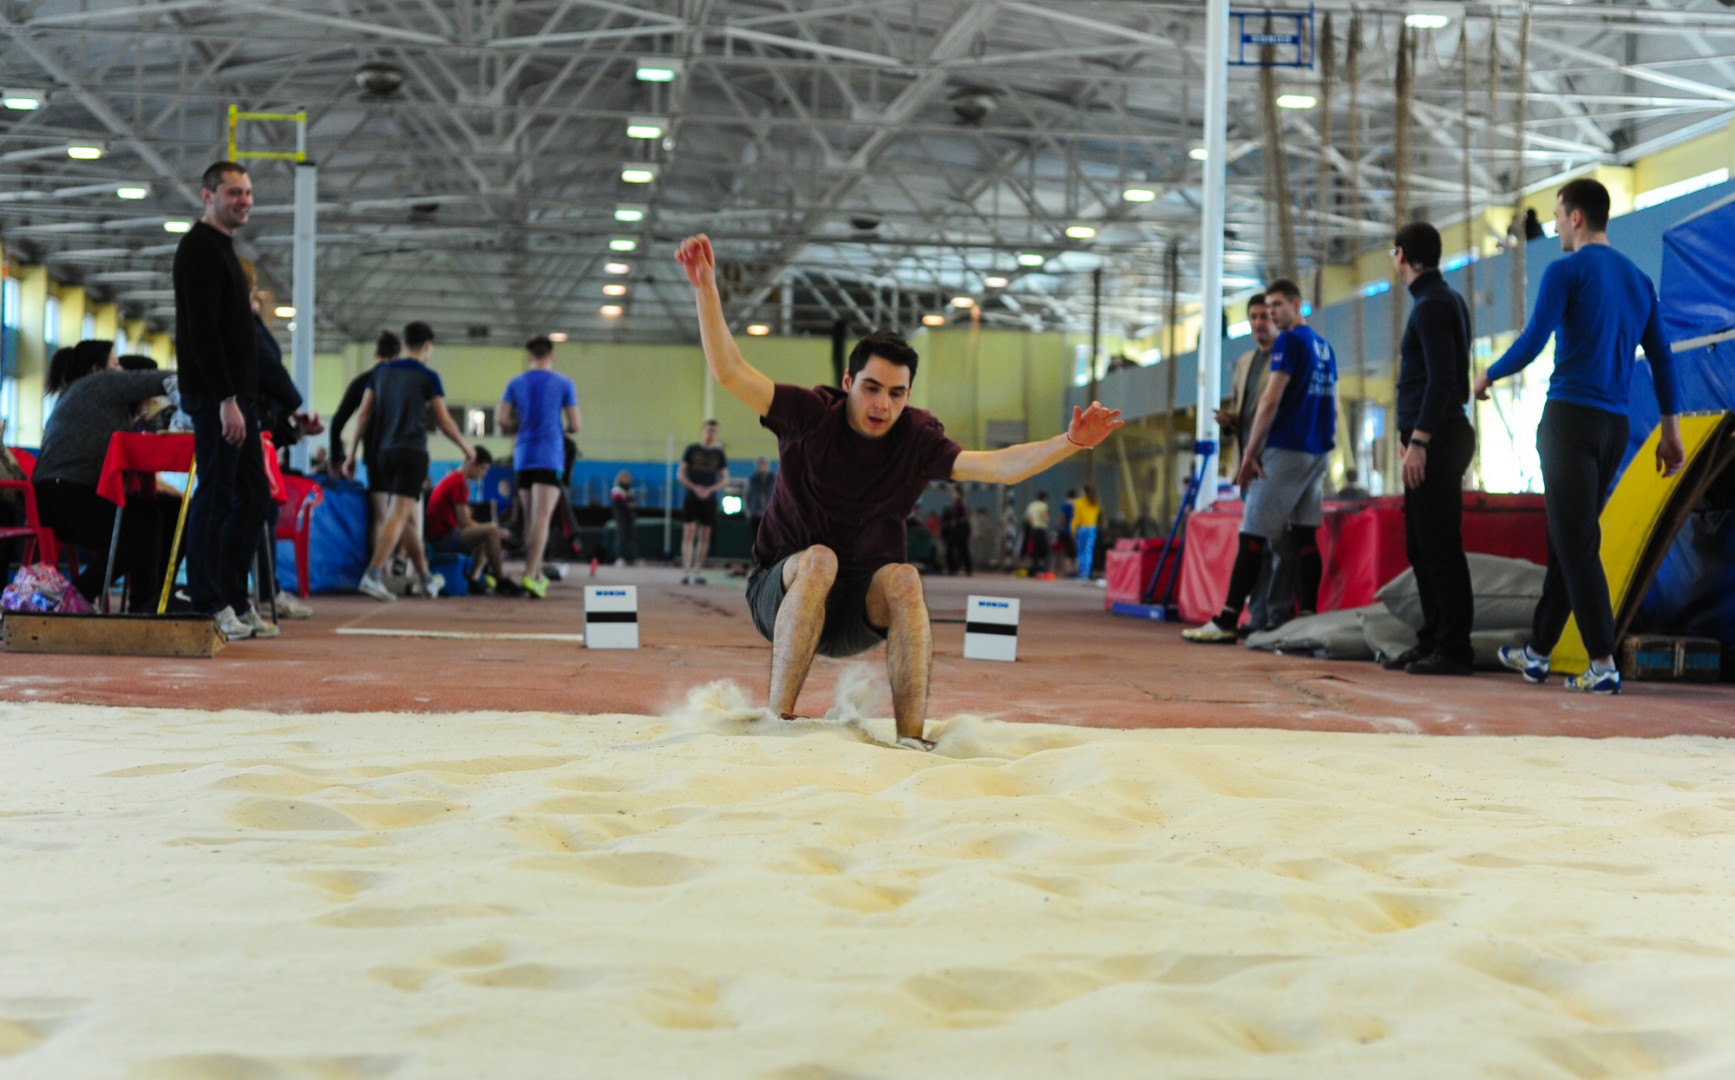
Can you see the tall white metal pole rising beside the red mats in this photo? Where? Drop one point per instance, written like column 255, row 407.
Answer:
column 1212, row 239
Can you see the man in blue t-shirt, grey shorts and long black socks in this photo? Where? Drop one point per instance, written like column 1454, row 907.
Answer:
column 1285, row 464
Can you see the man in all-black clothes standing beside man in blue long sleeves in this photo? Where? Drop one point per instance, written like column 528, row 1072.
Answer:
column 1439, row 442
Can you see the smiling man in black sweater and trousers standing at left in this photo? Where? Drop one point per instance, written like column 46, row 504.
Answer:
column 219, row 386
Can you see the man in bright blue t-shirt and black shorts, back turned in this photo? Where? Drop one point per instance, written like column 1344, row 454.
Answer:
column 542, row 407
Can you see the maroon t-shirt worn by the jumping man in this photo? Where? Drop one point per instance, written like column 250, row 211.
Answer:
column 842, row 489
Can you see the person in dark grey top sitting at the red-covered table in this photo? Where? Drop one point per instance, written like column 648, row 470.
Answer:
column 95, row 404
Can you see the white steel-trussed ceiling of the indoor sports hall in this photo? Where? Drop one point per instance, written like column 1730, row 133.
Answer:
column 856, row 162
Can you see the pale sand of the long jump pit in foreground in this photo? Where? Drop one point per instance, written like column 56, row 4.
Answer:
column 518, row 895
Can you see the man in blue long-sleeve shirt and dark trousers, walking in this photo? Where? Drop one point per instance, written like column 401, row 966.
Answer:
column 1601, row 310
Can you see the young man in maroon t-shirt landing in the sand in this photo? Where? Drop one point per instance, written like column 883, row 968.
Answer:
column 828, row 565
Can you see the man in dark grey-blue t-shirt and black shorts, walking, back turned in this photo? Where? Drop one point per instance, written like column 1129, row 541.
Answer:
column 398, row 398
